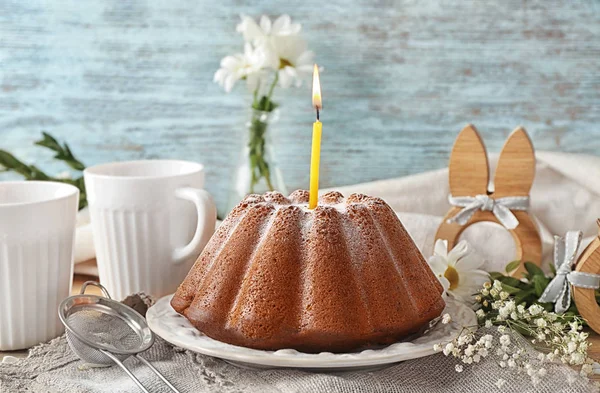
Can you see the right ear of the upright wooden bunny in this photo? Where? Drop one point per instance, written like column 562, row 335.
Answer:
column 516, row 166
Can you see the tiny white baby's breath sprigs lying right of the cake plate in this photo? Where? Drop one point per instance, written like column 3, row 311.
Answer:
column 561, row 334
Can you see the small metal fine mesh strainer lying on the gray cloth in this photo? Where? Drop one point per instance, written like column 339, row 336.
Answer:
column 102, row 331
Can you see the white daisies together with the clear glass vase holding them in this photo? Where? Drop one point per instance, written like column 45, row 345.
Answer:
column 274, row 55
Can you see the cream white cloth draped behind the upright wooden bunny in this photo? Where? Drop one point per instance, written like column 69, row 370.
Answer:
column 565, row 196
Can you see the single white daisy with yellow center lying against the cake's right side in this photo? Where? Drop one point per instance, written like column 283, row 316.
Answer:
column 458, row 270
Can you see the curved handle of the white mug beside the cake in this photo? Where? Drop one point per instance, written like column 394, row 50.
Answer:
column 207, row 217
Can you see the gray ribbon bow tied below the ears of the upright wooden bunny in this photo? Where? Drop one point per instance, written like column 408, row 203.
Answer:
column 501, row 208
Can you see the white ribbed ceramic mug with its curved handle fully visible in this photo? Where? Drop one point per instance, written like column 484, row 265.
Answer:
column 150, row 221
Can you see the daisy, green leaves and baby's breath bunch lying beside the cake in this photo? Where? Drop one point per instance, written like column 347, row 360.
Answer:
column 517, row 327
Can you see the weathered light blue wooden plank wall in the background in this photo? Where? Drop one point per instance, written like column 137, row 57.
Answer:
column 129, row 79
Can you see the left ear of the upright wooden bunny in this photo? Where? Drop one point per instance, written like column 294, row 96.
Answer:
column 469, row 171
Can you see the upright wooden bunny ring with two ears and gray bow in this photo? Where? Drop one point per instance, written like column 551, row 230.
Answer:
column 506, row 204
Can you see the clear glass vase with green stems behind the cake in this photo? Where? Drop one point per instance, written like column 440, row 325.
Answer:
column 257, row 171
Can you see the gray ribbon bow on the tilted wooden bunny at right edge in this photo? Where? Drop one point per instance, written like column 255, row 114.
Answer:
column 565, row 256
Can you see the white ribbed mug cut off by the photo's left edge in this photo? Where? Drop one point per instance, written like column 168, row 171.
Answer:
column 37, row 232
